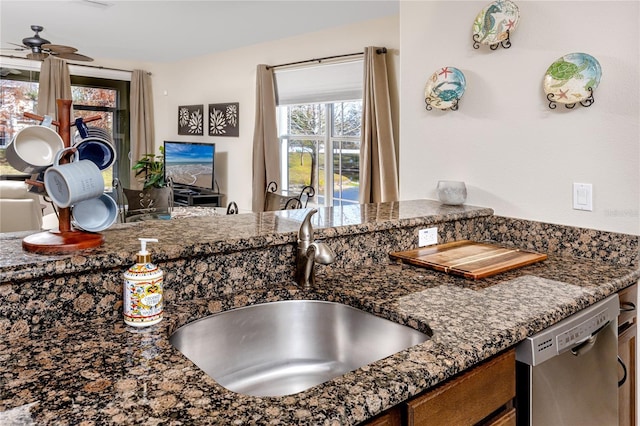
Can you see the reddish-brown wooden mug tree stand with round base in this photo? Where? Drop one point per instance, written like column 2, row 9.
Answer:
column 63, row 239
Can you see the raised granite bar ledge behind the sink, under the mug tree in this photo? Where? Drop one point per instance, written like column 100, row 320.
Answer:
column 194, row 233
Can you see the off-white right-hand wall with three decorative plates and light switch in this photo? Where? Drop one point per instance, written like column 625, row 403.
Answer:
column 515, row 154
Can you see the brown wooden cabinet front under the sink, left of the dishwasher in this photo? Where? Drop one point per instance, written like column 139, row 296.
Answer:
column 481, row 396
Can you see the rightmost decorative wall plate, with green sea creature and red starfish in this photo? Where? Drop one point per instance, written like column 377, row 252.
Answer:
column 572, row 78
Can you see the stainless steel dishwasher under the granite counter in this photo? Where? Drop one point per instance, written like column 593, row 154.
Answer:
column 567, row 374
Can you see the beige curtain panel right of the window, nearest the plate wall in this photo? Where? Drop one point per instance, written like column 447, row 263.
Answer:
column 378, row 164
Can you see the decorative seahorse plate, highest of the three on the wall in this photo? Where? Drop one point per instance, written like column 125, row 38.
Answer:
column 495, row 21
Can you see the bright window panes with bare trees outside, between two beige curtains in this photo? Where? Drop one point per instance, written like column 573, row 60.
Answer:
column 308, row 133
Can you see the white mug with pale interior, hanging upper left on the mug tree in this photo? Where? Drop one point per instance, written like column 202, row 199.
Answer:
column 33, row 148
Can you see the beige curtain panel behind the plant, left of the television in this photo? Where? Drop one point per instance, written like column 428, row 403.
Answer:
column 141, row 121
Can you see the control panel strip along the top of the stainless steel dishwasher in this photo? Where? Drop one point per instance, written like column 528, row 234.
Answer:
column 569, row 332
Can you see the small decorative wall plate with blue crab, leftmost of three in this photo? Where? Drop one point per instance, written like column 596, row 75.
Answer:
column 445, row 88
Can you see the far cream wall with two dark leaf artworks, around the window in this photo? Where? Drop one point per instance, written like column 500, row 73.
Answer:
column 230, row 77
